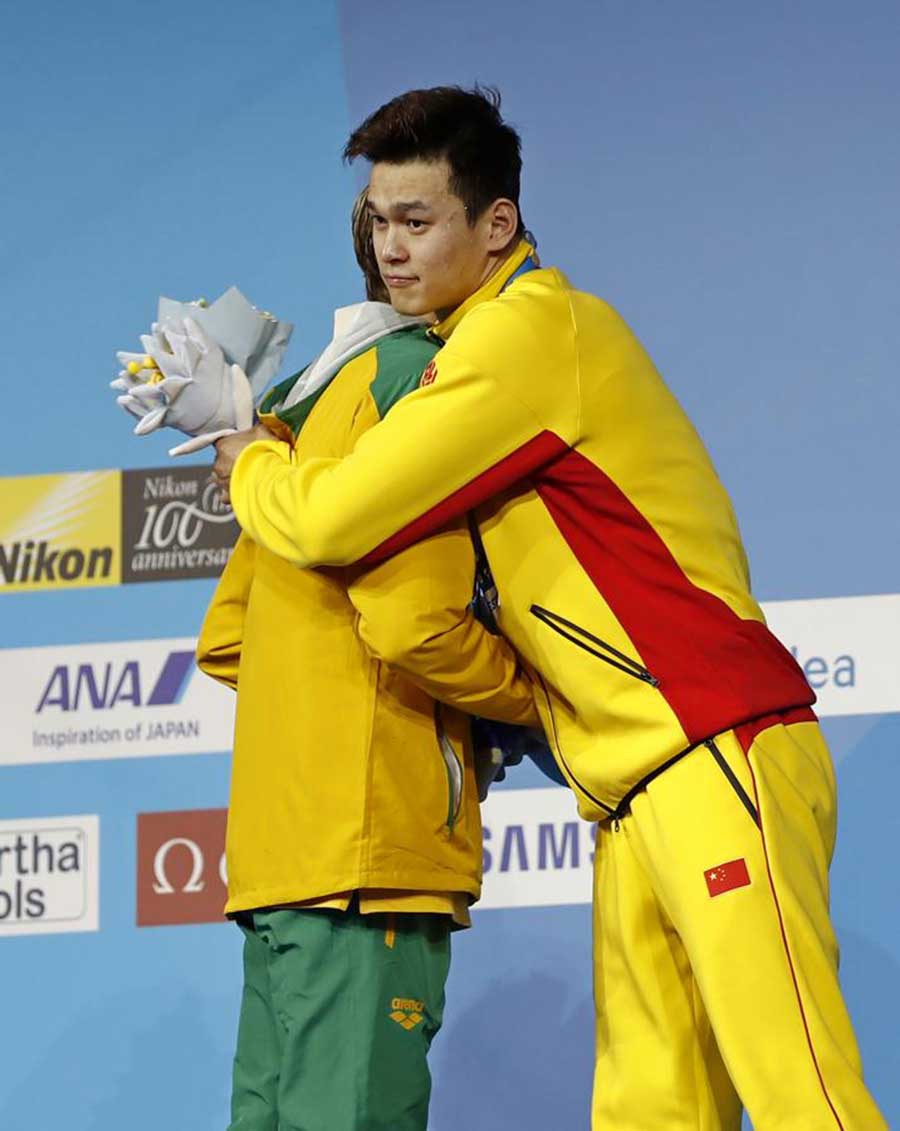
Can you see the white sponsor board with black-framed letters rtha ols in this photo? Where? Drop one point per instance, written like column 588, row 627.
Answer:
column 49, row 876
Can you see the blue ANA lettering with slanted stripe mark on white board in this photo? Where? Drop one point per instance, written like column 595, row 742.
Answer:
column 102, row 687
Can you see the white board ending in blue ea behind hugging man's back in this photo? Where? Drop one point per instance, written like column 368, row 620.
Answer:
column 847, row 649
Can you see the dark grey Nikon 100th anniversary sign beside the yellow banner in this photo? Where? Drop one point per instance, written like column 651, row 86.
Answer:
column 175, row 525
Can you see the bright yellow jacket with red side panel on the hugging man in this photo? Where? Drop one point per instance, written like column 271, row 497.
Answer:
column 621, row 571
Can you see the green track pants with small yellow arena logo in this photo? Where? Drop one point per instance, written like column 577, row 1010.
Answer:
column 337, row 1016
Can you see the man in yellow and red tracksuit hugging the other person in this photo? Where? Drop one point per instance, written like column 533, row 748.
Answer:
column 683, row 727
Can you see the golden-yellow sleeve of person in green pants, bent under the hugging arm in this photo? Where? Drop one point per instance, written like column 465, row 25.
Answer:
column 414, row 616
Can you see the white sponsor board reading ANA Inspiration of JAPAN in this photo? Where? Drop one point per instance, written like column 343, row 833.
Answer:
column 110, row 701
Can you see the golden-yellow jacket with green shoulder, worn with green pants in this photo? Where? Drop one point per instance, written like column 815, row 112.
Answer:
column 347, row 774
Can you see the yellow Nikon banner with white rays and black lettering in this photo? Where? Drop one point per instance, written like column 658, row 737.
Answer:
column 60, row 532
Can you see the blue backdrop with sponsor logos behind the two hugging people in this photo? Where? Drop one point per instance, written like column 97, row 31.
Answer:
column 724, row 178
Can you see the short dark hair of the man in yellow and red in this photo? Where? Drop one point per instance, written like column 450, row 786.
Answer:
column 463, row 127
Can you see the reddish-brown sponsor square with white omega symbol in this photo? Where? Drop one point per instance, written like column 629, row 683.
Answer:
column 181, row 868
